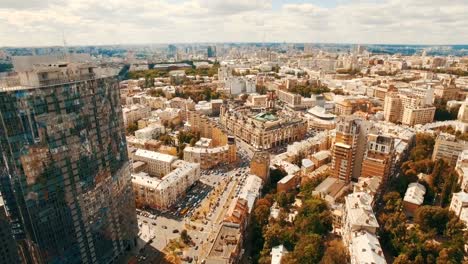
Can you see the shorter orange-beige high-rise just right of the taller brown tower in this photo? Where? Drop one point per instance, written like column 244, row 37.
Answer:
column 379, row 157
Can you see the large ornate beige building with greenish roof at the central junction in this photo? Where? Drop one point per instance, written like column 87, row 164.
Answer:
column 263, row 130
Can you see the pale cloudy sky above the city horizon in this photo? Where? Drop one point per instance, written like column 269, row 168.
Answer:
column 85, row 22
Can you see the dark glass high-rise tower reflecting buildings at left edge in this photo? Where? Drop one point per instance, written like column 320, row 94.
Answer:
column 65, row 175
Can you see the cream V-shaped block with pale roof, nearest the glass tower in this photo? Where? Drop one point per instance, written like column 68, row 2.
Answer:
column 162, row 193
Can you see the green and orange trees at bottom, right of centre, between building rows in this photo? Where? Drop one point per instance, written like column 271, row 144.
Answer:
column 306, row 238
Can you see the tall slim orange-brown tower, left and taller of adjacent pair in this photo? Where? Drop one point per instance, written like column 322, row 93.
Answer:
column 348, row 150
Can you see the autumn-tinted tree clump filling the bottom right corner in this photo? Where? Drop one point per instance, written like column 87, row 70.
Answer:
column 437, row 235
